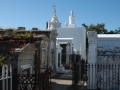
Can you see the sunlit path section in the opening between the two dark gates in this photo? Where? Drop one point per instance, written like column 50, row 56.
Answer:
column 62, row 81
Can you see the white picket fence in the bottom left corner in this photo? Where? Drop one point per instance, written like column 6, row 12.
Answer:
column 5, row 77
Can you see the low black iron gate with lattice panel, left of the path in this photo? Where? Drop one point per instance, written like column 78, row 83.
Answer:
column 40, row 81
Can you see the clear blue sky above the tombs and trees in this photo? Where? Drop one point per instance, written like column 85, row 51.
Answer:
column 35, row 13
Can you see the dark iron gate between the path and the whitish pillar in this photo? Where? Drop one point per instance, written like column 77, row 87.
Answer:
column 80, row 72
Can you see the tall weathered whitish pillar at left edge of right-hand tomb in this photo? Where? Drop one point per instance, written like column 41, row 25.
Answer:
column 92, row 57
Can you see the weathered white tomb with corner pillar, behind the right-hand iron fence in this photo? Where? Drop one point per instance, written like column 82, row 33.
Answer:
column 104, row 49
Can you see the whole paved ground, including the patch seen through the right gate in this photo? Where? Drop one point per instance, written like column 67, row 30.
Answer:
column 64, row 82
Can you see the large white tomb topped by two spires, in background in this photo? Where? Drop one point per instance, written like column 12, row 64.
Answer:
column 70, row 31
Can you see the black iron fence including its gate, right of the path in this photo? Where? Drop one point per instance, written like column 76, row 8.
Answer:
column 96, row 76
